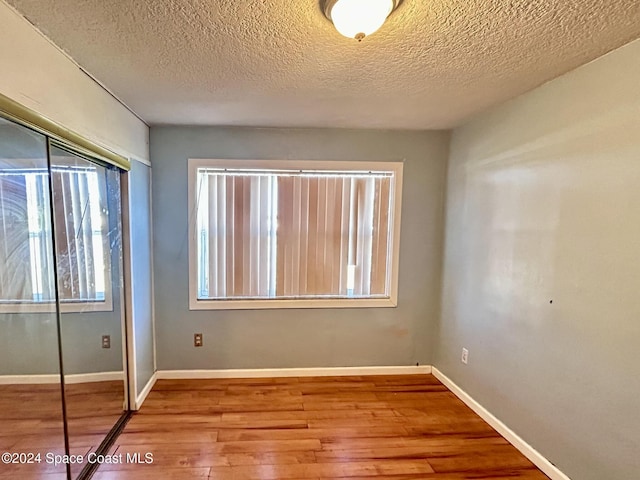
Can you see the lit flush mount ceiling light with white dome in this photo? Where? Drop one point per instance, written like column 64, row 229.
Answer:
column 358, row 18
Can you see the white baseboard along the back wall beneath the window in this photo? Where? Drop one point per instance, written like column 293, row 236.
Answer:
column 292, row 372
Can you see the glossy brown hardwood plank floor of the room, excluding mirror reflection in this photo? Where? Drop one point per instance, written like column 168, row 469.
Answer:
column 371, row 427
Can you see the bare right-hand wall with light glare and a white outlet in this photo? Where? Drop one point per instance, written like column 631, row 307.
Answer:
column 542, row 266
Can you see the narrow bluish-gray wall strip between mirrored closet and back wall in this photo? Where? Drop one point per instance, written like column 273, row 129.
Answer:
column 142, row 301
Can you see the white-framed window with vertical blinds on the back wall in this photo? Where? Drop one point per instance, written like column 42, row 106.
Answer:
column 282, row 234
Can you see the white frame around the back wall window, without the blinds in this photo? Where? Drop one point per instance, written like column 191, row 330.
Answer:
column 279, row 303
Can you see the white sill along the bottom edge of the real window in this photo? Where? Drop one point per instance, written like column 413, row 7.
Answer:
column 292, row 303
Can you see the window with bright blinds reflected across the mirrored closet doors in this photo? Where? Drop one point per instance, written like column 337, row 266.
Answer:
column 26, row 244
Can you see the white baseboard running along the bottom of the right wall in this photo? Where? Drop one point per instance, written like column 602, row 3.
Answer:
column 513, row 438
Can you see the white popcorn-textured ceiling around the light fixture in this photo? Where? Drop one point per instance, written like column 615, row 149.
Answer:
column 281, row 63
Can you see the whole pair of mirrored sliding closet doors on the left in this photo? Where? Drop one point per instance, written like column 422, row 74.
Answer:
column 61, row 304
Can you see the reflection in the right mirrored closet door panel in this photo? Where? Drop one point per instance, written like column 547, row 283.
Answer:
column 88, row 244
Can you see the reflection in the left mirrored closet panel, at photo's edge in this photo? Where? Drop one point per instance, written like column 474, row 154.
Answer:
column 31, row 418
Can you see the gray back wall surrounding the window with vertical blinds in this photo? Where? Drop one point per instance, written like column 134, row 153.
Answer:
column 311, row 337
